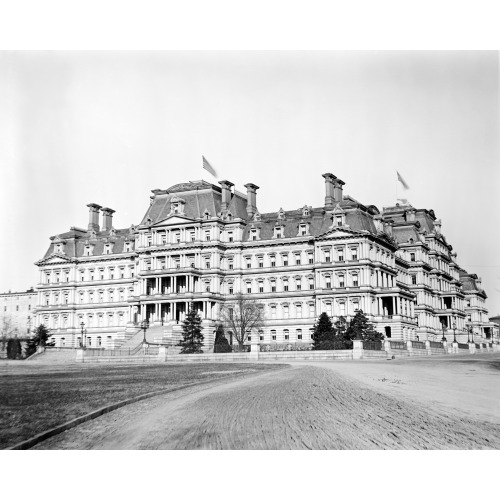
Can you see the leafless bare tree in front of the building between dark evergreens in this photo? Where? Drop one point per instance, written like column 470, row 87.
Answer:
column 242, row 315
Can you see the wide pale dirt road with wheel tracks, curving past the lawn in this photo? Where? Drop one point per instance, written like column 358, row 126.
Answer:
column 339, row 405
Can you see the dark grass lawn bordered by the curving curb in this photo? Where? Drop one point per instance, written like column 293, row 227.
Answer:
column 34, row 399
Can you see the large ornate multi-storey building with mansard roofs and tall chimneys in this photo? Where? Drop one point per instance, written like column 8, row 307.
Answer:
column 200, row 244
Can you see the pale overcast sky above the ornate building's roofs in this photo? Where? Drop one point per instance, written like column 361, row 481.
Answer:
column 108, row 127
